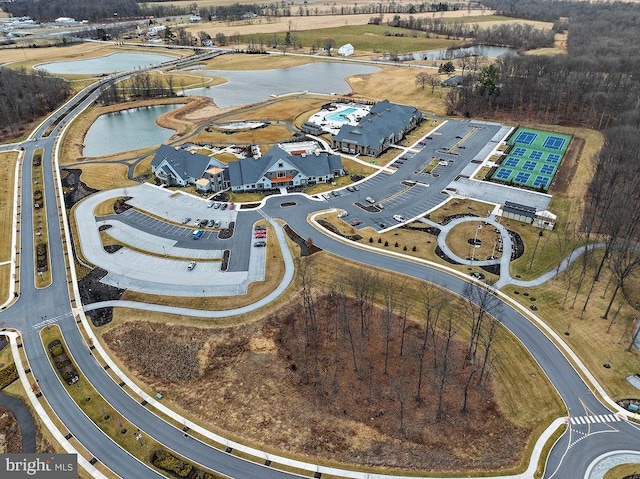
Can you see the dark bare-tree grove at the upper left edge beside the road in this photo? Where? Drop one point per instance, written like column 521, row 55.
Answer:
column 26, row 96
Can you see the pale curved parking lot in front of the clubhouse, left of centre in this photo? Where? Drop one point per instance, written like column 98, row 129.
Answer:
column 171, row 247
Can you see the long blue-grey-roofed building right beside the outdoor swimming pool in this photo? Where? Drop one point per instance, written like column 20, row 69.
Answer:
column 386, row 123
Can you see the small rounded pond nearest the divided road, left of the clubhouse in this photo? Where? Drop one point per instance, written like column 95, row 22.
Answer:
column 126, row 130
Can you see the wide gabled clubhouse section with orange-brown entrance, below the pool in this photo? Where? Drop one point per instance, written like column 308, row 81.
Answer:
column 277, row 168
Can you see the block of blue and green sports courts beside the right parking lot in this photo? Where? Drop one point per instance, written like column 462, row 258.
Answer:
column 533, row 159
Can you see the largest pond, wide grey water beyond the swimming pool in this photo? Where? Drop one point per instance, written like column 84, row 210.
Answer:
column 247, row 87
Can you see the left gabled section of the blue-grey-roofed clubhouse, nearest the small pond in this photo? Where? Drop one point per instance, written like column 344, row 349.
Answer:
column 174, row 166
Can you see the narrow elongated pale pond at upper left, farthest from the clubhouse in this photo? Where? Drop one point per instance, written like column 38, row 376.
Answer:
column 115, row 62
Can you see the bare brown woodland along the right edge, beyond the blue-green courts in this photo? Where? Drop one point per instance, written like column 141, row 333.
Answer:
column 596, row 84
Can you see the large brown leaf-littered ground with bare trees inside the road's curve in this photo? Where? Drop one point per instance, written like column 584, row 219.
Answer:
column 271, row 383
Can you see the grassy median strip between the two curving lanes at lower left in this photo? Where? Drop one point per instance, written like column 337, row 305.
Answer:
column 114, row 425
